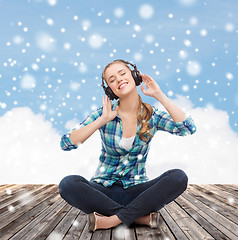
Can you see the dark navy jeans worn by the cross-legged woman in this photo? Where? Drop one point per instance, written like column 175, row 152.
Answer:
column 128, row 204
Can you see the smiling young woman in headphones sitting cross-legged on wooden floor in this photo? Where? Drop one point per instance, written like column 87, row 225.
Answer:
column 120, row 191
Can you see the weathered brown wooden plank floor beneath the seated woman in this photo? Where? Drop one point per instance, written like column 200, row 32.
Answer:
column 38, row 212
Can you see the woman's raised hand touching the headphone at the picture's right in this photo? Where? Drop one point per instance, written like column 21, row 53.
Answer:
column 153, row 89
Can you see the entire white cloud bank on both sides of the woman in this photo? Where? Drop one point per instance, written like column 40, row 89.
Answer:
column 30, row 151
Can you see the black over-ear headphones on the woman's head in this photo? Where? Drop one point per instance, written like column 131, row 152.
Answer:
column 135, row 74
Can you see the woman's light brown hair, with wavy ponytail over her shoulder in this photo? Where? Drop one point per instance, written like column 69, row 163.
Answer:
column 147, row 110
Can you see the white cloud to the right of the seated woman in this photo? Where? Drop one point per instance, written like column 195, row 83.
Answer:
column 208, row 156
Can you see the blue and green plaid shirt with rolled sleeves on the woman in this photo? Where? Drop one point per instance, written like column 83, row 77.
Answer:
column 115, row 162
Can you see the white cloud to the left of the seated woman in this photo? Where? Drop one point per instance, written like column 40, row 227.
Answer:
column 30, row 150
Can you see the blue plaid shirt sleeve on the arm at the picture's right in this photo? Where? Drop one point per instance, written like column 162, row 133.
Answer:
column 164, row 122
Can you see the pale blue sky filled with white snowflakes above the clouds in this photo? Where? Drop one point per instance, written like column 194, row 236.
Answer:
column 52, row 53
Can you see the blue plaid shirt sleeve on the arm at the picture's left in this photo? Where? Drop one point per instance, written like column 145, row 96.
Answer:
column 66, row 143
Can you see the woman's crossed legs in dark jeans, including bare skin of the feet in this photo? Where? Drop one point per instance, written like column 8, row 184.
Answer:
column 91, row 197
